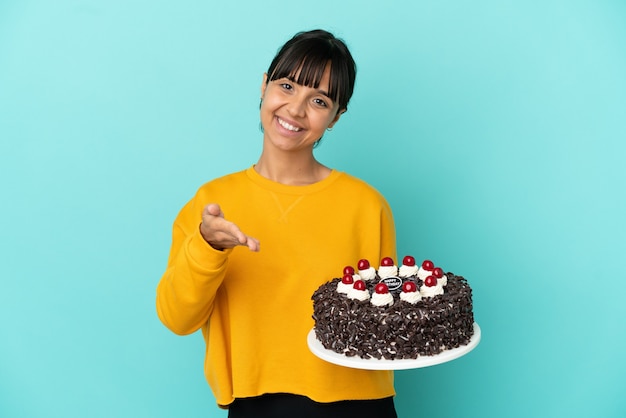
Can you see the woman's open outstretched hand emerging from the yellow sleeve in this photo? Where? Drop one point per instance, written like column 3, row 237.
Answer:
column 222, row 234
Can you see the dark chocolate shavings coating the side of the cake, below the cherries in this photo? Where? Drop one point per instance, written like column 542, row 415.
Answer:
column 400, row 331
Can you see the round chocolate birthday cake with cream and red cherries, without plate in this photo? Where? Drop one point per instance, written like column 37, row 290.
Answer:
column 393, row 312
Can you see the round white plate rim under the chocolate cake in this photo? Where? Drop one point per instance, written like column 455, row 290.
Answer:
column 356, row 362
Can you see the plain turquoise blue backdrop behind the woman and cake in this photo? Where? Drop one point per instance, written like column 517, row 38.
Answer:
column 496, row 130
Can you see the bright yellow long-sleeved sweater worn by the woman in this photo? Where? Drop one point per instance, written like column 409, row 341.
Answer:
column 254, row 308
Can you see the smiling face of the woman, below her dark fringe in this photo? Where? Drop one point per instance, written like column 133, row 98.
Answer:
column 294, row 116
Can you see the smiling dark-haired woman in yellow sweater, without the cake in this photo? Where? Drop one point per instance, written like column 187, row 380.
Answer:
column 254, row 306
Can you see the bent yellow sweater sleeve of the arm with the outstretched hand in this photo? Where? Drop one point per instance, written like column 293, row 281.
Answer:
column 194, row 273
